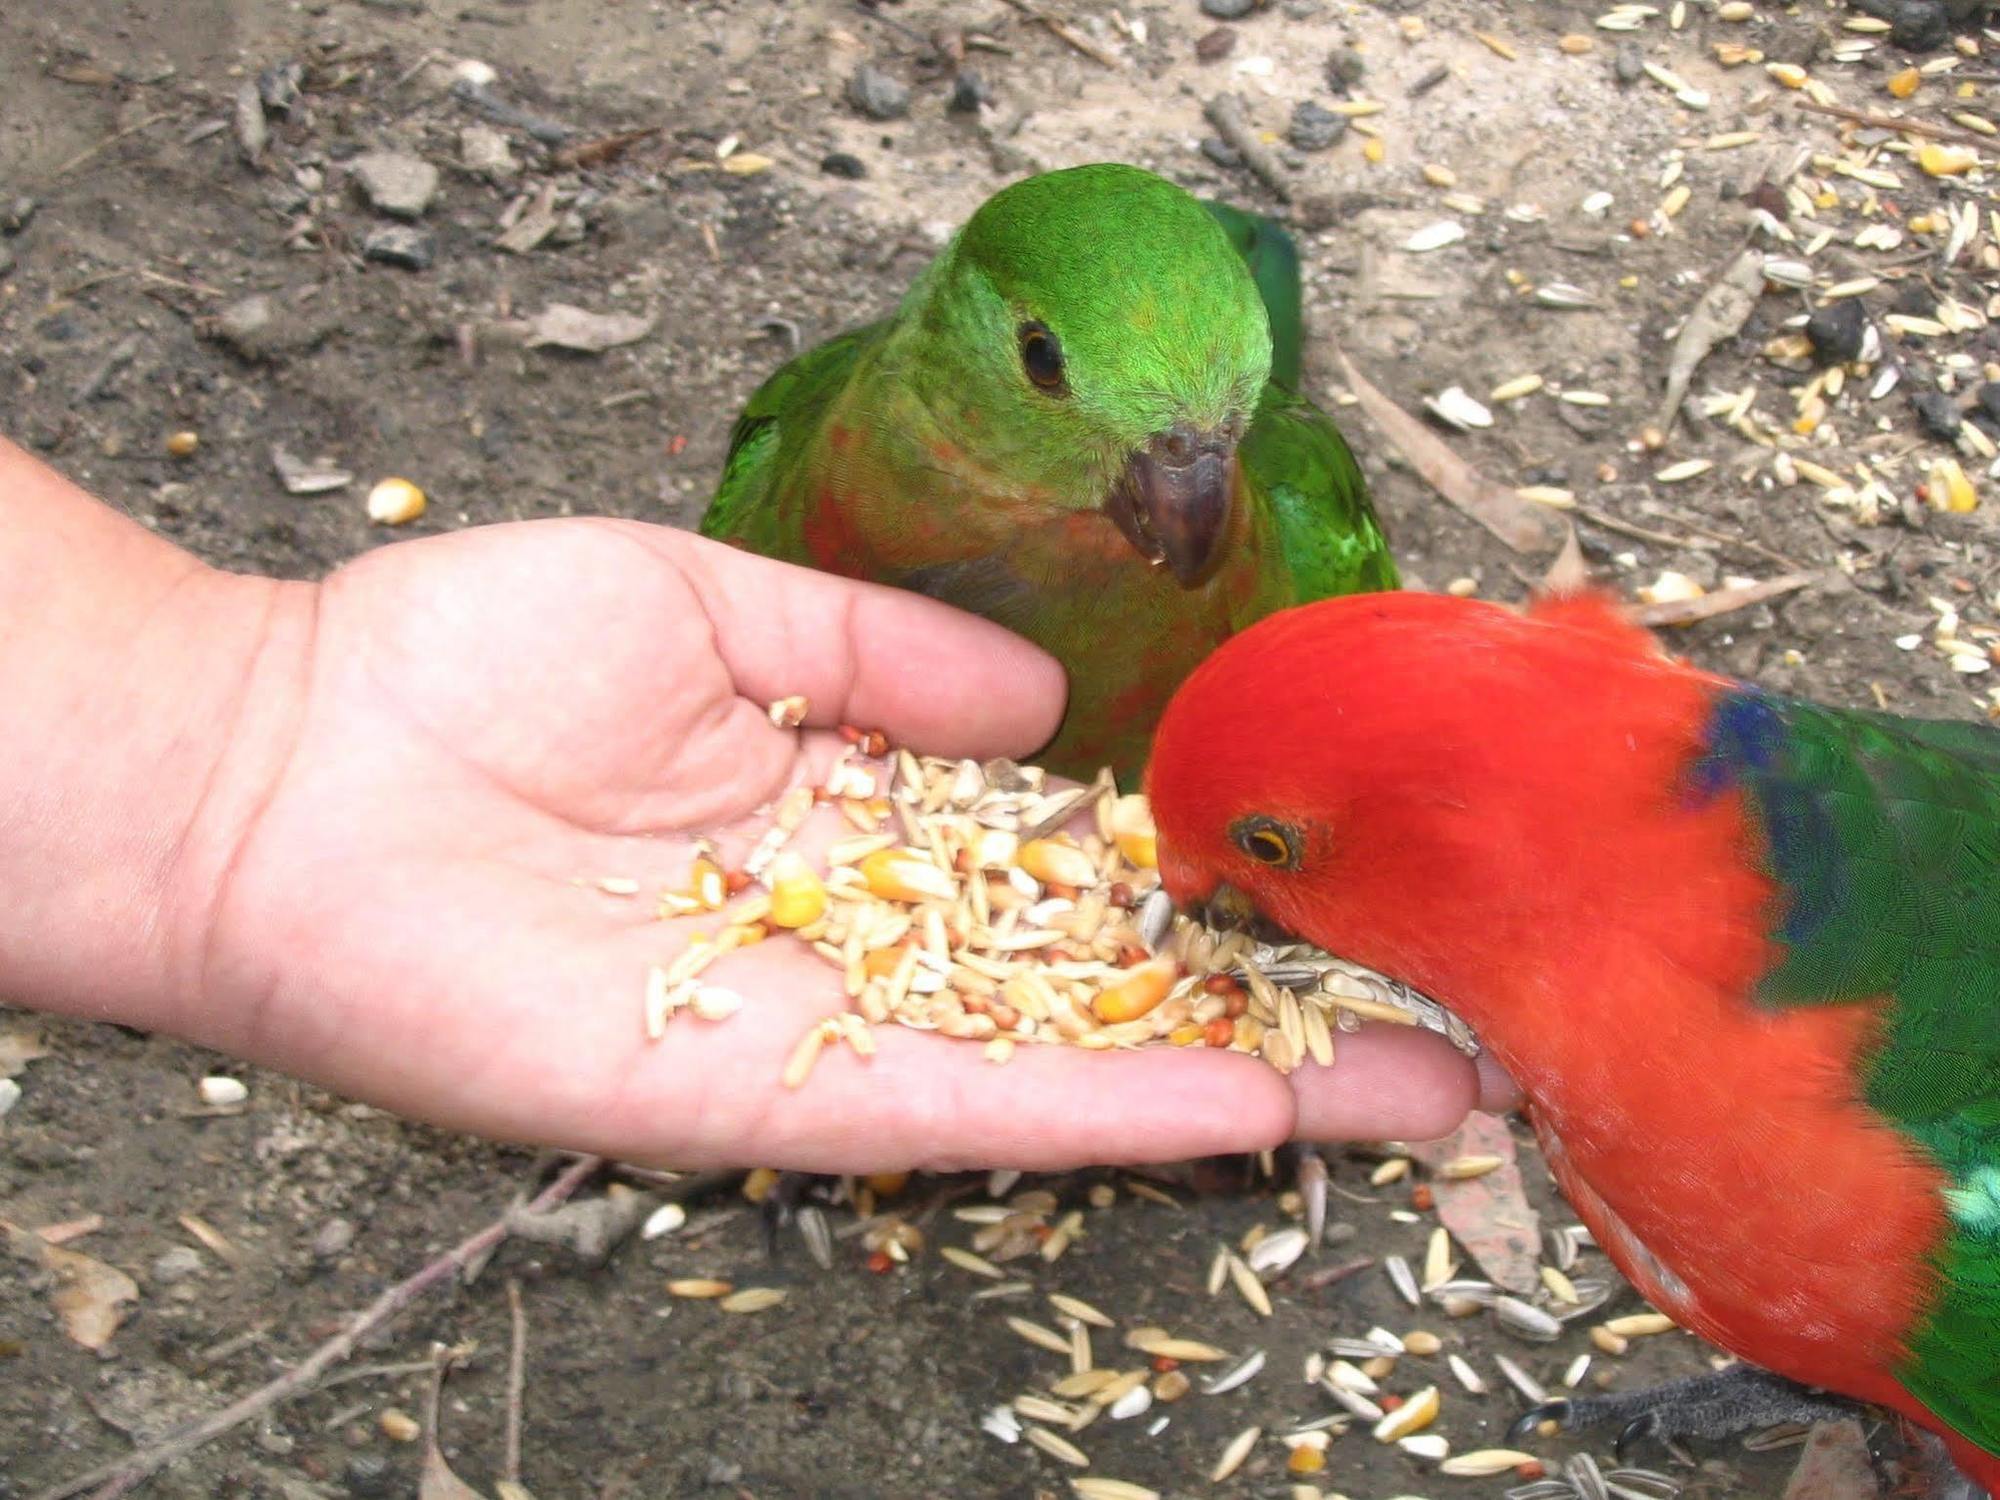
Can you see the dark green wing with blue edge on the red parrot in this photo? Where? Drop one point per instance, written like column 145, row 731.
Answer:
column 1885, row 835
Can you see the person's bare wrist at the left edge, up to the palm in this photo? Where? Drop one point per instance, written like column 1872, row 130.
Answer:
column 151, row 705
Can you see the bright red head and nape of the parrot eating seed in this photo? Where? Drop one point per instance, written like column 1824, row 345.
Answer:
column 1437, row 789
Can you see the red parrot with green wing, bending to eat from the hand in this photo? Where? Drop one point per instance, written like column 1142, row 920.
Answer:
column 1739, row 951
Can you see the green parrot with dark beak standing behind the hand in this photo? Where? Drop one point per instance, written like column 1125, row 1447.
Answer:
column 1081, row 423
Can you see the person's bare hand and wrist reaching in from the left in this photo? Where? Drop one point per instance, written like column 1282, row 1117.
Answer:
column 353, row 831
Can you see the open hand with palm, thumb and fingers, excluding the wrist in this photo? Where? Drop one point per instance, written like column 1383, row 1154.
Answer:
column 499, row 719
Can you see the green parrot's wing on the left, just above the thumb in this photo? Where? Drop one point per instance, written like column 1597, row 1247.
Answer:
column 751, row 509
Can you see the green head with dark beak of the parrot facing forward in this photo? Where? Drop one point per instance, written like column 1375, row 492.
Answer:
column 1095, row 337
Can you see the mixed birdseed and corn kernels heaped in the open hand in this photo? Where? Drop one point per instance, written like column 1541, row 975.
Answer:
column 965, row 903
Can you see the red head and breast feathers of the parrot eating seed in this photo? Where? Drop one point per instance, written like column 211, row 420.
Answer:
column 1493, row 809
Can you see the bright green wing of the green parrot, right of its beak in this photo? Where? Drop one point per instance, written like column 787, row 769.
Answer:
column 1327, row 527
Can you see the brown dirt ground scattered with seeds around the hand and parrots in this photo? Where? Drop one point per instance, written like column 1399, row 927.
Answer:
column 123, row 321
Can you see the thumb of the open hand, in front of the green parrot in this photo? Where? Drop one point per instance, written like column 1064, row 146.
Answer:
column 923, row 673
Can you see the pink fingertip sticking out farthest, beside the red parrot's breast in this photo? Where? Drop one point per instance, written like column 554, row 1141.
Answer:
column 1389, row 1083
